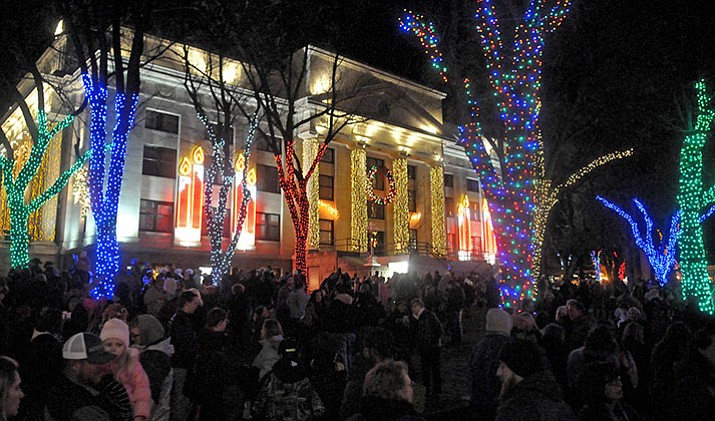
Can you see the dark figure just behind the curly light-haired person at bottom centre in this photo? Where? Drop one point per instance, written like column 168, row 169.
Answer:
column 378, row 347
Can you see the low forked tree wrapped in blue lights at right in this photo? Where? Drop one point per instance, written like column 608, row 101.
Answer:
column 660, row 257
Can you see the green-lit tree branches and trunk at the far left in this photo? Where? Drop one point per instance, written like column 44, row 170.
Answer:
column 16, row 185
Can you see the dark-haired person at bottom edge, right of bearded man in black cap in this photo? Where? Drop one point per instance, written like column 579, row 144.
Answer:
column 602, row 391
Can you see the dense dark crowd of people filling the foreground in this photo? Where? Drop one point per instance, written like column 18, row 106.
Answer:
column 173, row 344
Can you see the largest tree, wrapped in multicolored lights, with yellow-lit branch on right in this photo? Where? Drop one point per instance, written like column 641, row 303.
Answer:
column 511, row 167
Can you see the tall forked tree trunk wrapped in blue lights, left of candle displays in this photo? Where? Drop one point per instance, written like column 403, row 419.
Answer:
column 105, row 182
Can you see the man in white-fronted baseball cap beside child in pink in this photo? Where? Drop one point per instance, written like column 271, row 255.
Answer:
column 87, row 390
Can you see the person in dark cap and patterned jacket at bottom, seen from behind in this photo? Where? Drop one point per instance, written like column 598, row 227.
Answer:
column 286, row 393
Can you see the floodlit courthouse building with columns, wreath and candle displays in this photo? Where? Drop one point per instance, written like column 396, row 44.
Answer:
column 437, row 216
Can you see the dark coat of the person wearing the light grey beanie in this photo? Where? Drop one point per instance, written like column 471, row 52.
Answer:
column 483, row 365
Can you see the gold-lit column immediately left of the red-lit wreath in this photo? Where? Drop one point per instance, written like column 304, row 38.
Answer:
column 358, row 204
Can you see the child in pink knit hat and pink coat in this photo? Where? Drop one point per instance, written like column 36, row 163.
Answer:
column 126, row 367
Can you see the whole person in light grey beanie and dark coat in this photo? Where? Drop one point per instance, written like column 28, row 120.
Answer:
column 484, row 362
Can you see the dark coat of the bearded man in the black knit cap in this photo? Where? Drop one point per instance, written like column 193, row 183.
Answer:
column 537, row 397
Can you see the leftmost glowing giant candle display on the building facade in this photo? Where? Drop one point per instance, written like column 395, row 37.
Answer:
column 190, row 199
